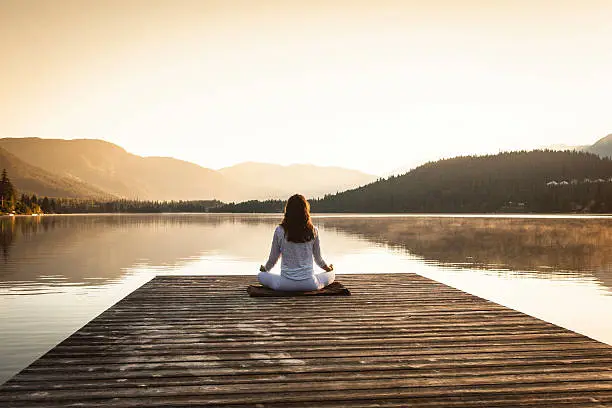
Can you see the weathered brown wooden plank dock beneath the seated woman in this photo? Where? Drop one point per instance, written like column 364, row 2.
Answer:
column 399, row 340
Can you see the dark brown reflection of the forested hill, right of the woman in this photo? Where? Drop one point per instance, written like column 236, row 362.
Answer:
column 573, row 247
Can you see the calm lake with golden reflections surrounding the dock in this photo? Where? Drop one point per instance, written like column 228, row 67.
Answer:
column 59, row 272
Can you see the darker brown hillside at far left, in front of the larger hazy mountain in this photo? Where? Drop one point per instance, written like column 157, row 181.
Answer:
column 30, row 179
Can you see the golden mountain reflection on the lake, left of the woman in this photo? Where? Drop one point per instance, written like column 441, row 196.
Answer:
column 96, row 249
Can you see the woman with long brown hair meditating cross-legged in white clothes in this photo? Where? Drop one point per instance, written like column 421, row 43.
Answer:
column 297, row 240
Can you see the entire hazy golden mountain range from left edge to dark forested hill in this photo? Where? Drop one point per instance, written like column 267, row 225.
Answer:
column 109, row 168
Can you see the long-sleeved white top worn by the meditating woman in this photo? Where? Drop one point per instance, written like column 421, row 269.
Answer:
column 297, row 257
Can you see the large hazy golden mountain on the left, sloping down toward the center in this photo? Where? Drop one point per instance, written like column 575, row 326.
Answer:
column 111, row 168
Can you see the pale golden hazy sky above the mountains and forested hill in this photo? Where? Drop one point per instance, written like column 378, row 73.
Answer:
column 371, row 85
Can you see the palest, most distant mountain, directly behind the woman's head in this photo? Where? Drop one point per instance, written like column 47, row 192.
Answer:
column 278, row 181
